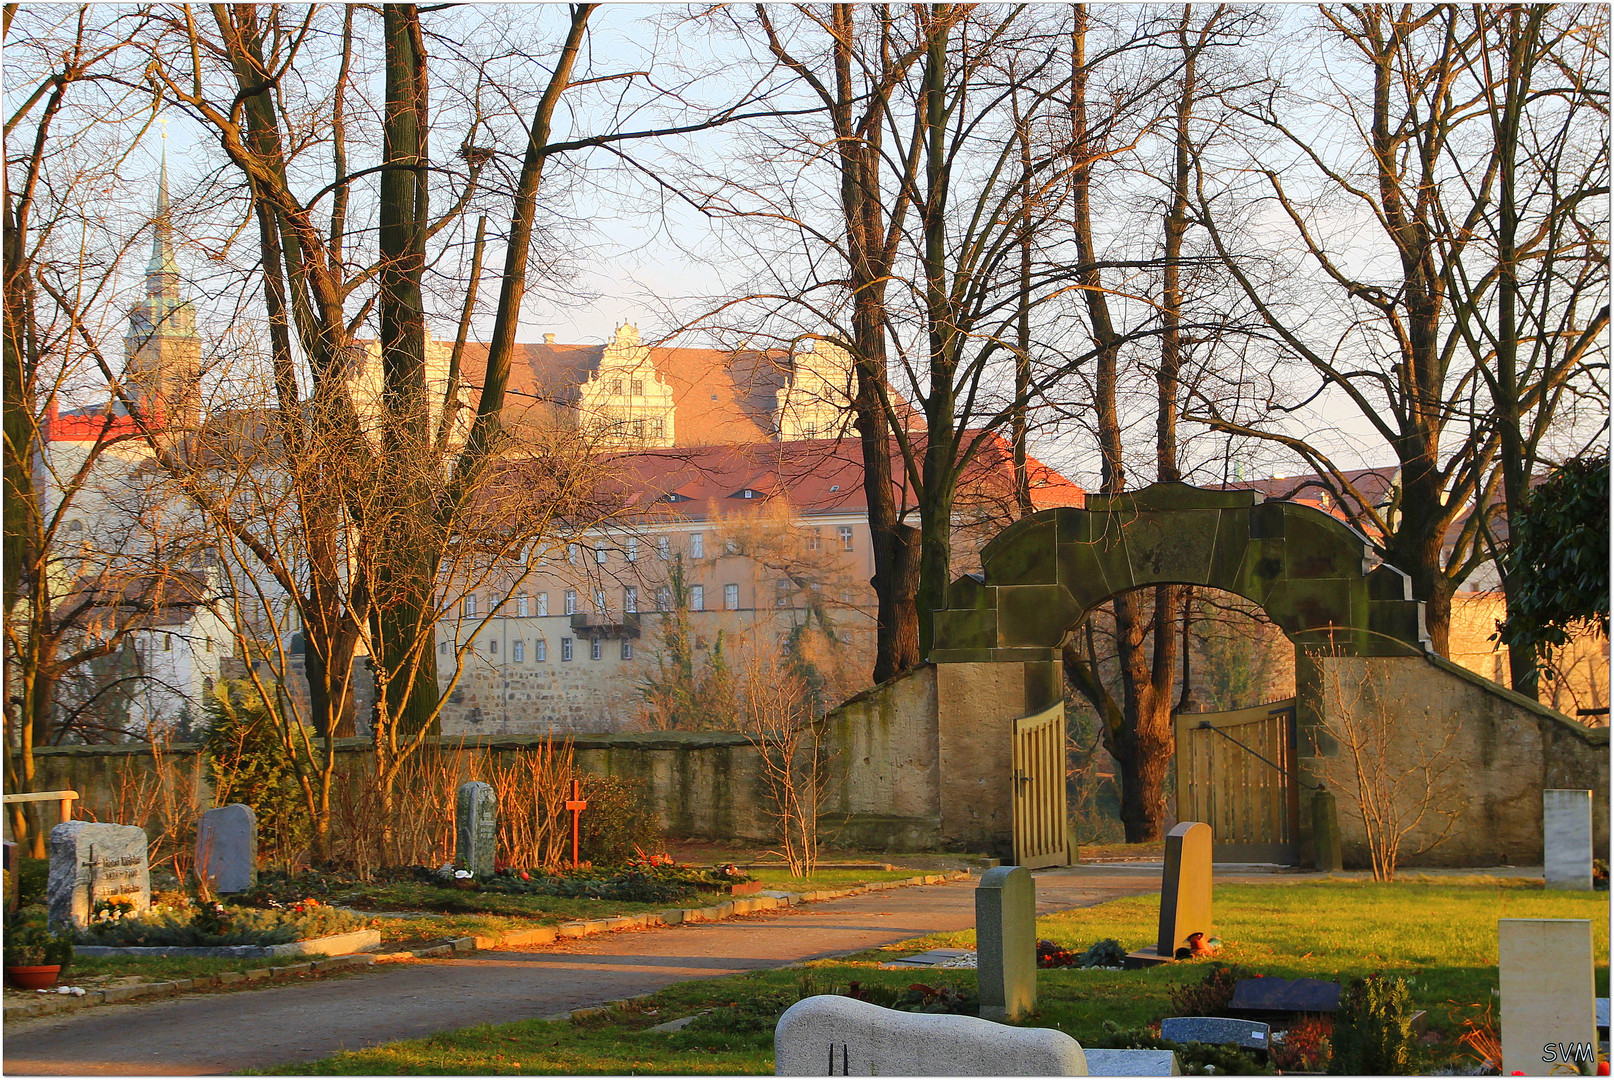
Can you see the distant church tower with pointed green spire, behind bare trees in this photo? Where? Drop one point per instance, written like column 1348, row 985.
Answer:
column 162, row 351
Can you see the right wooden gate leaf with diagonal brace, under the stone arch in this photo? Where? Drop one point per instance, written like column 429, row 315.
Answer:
column 1236, row 772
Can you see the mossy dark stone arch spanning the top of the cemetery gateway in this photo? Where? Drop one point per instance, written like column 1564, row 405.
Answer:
column 1308, row 571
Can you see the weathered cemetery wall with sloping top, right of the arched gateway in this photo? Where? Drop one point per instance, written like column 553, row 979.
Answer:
column 1499, row 751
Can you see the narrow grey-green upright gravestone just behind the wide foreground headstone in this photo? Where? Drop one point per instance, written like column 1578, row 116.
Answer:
column 1006, row 944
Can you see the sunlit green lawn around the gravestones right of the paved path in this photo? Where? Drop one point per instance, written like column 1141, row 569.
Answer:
column 1439, row 934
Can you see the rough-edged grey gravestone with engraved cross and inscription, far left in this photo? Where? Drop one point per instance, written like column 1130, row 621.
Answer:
column 91, row 863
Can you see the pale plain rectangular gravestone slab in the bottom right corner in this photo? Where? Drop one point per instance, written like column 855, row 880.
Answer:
column 1549, row 995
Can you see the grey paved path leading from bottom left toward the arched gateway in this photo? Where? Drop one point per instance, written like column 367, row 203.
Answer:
column 227, row 1032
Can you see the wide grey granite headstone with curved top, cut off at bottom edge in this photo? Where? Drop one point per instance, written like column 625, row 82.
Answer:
column 842, row 1037
